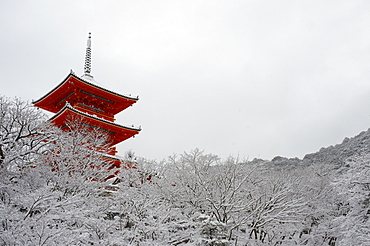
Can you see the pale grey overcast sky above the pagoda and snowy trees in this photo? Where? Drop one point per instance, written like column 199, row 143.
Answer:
column 248, row 78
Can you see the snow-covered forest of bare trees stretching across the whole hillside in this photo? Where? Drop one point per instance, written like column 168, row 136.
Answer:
column 54, row 191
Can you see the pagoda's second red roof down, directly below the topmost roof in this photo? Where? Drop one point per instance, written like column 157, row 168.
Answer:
column 116, row 133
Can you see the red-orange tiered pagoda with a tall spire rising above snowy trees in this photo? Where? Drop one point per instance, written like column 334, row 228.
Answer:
column 81, row 98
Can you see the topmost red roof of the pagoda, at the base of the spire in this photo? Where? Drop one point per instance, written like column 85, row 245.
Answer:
column 54, row 100
